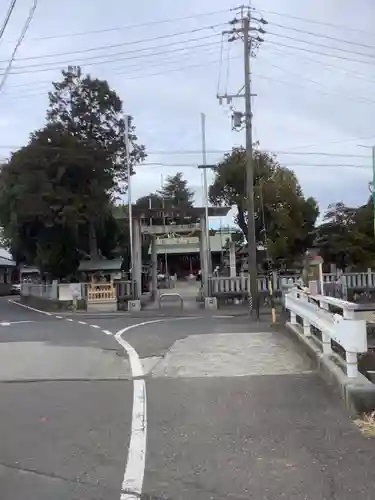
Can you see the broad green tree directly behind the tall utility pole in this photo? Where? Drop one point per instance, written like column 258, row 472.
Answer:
column 284, row 218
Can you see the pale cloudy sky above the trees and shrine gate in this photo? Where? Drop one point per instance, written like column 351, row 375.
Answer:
column 312, row 78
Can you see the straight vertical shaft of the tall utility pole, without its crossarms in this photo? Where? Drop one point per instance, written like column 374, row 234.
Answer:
column 251, row 239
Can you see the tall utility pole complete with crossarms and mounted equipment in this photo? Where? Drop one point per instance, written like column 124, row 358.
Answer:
column 244, row 120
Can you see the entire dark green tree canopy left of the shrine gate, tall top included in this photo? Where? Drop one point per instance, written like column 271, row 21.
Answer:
column 57, row 192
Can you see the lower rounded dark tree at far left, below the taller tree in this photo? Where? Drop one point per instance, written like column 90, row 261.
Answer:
column 48, row 193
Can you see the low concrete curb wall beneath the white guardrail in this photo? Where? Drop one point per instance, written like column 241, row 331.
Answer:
column 358, row 393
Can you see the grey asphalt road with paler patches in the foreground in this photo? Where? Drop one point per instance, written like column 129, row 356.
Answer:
column 234, row 411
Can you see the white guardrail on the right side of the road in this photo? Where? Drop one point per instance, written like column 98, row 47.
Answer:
column 347, row 331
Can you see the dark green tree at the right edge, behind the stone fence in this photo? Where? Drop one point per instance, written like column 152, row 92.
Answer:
column 346, row 236
